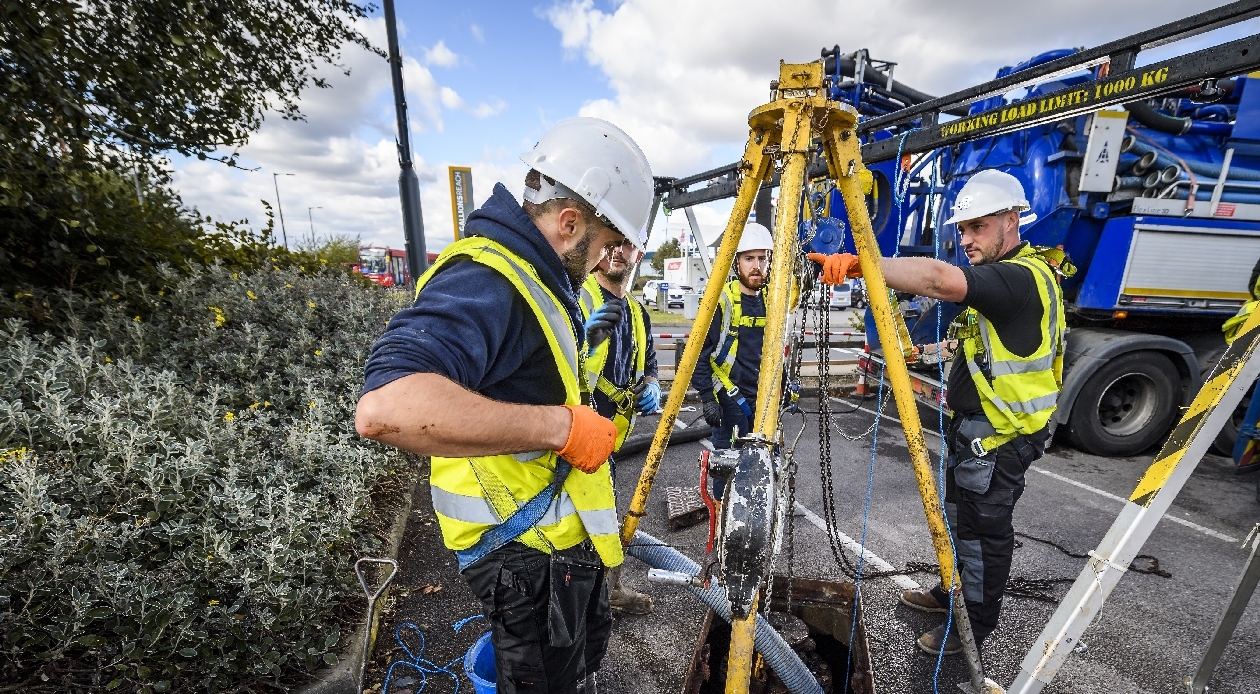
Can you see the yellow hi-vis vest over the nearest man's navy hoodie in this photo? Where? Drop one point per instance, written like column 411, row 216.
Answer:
column 476, row 494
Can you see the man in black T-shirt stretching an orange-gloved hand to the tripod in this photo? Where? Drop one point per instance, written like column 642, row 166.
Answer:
column 1002, row 389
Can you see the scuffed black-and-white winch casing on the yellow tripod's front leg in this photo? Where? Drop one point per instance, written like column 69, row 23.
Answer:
column 748, row 526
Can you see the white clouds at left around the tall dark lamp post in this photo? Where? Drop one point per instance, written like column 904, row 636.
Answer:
column 345, row 159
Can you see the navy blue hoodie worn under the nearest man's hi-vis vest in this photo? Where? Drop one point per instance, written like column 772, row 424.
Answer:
column 471, row 326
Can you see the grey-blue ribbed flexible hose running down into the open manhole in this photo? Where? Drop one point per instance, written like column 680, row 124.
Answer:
column 772, row 647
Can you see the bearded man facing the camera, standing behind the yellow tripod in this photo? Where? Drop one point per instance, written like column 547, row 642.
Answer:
column 726, row 373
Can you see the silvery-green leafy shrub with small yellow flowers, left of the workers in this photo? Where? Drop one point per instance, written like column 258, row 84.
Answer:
column 182, row 489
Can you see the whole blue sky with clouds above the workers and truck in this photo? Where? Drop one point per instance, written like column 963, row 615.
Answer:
column 486, row 80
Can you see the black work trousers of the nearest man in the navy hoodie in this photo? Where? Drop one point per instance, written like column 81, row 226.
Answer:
column 527, row 610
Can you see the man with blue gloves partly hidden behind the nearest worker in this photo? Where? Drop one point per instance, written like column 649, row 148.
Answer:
column 621, row 373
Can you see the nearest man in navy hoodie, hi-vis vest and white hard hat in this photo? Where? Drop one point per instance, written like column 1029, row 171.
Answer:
column 486, row 375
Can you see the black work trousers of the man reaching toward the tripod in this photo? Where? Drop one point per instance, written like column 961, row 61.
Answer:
column 985, row 537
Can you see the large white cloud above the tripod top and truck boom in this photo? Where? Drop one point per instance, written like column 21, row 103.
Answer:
column 686, row 75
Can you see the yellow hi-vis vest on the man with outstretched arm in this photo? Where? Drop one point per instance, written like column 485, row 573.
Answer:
column 1020, row 394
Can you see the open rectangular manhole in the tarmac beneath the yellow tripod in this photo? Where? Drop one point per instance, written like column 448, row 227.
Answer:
column 816, row 618
